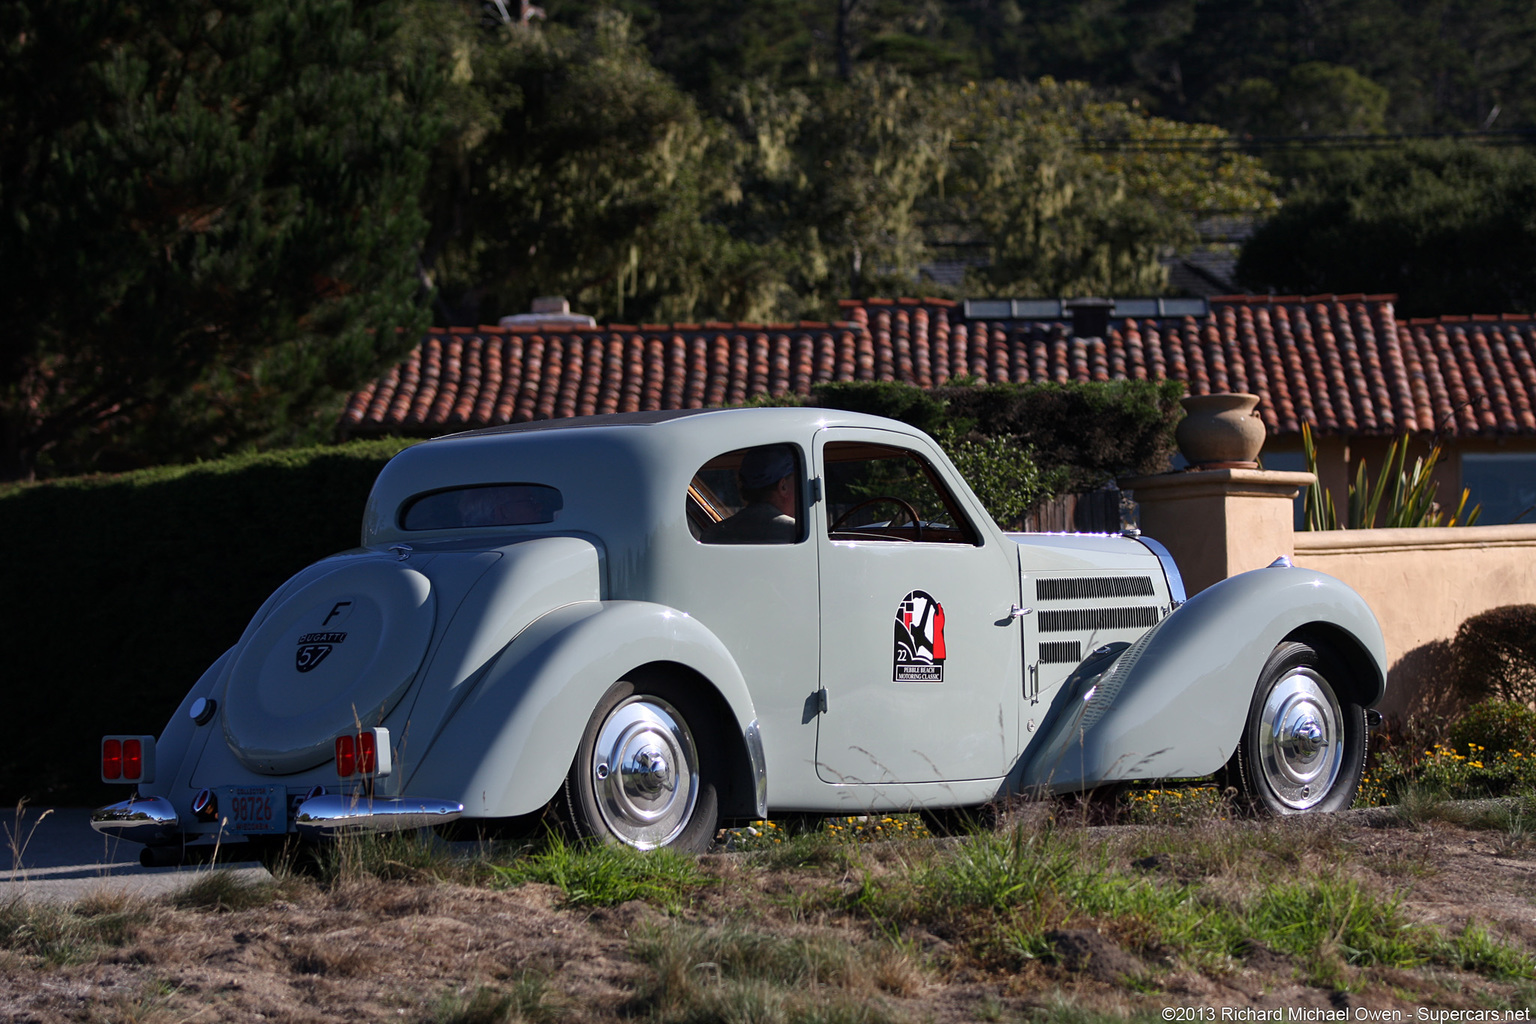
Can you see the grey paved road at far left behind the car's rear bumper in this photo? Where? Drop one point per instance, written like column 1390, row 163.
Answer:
column 58, row 856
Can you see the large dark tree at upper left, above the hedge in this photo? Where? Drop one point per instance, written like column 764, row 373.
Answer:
column 210, row 222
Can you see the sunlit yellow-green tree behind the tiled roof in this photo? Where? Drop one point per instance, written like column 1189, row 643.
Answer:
column 1061, row 220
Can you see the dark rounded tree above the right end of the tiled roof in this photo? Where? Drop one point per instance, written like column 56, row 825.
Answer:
column 1449, row 230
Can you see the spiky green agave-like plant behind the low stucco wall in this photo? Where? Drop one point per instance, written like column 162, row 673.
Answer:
column 1400, row 497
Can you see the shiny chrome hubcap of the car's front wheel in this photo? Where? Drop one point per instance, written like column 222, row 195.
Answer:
column 1300, row 741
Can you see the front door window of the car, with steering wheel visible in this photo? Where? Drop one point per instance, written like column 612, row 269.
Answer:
column 884, row 494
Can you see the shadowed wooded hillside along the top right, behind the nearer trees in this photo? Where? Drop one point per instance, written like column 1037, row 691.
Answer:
column 1266, row 67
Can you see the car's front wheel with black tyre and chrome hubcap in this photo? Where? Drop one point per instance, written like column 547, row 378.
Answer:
column 1303, row 748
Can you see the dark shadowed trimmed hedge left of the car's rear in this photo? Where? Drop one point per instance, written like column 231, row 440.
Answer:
column 121, row 590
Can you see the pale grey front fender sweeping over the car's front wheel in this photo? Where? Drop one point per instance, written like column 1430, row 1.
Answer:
column 1174, row 704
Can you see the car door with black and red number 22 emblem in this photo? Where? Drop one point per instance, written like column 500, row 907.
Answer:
column 921, row 655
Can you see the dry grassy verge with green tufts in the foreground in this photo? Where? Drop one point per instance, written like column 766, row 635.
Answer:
column 1042, row 920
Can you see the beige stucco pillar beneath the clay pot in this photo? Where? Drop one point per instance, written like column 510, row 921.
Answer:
column 1219, row 523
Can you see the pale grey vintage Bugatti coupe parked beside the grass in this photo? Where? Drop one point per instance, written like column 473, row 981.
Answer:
column 657, row 623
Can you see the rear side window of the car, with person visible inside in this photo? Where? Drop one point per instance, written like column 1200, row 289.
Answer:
column 749, row 497
